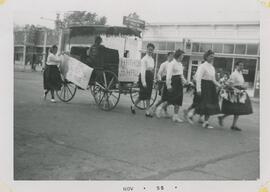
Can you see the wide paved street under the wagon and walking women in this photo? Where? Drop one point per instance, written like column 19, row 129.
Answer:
column 77, row 141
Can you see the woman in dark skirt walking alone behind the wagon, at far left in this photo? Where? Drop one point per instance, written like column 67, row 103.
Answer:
column 51, row 77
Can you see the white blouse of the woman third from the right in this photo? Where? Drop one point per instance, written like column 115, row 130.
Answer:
column 174, row 68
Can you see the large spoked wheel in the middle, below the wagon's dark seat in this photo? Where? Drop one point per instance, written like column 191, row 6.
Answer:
column 106, row 90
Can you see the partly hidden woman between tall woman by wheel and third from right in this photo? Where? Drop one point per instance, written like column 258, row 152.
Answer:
column 161, row 77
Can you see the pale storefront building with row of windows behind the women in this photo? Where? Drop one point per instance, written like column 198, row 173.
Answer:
column 231, row 42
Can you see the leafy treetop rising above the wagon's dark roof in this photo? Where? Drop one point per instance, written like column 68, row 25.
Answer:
column 85, row 18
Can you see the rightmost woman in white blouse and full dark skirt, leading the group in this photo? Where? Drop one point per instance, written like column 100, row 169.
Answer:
column 236, row 108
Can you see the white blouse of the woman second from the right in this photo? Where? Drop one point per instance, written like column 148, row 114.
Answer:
column 205, row 71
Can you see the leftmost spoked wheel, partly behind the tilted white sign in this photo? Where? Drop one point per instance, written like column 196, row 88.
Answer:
column 67, row 91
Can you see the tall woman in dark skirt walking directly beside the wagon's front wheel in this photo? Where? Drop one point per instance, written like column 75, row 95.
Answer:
column 146, row 79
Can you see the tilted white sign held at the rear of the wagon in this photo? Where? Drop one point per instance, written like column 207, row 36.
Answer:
column 75, row 71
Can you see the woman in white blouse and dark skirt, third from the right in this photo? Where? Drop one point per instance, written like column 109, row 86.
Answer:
column 175, row 81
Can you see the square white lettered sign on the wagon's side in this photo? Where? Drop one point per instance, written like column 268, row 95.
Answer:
column 129, row 70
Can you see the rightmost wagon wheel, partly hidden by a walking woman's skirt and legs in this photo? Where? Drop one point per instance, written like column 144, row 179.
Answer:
column 134, row 95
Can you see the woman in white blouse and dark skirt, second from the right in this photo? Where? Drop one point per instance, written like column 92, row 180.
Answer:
column 206, row 88
